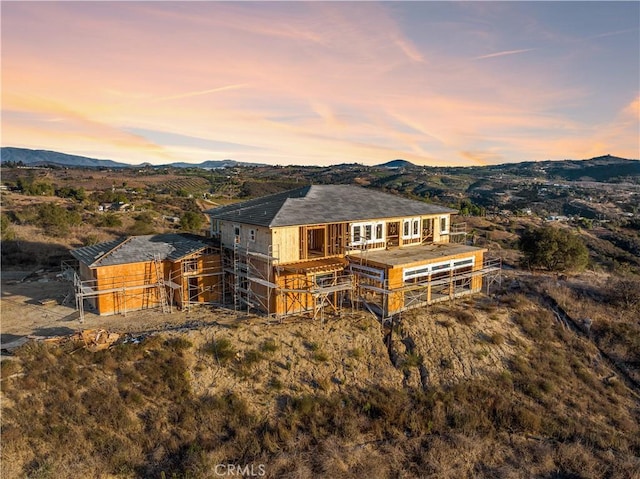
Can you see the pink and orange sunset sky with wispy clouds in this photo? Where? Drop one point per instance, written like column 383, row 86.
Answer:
column 318, row 83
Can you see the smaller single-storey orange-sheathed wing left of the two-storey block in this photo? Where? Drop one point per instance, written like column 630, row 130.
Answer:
column 142, row 272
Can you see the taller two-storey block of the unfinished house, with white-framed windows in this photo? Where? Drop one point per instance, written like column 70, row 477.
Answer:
column 322, row 248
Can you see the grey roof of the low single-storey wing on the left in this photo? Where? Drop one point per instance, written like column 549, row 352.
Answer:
column 137, row 249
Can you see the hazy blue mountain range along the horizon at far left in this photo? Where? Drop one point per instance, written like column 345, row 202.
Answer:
column 44, row 157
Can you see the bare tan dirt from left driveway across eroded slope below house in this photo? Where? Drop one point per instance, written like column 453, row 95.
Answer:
column 354, row 345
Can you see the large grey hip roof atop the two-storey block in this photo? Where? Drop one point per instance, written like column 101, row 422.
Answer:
column 318, row 204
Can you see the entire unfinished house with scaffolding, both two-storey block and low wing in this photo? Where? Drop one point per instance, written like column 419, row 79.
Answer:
column 308, row 251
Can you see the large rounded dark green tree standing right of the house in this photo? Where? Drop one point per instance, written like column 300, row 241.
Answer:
column 554, row 249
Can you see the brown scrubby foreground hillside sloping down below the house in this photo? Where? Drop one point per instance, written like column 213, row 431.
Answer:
column 494, row 387
